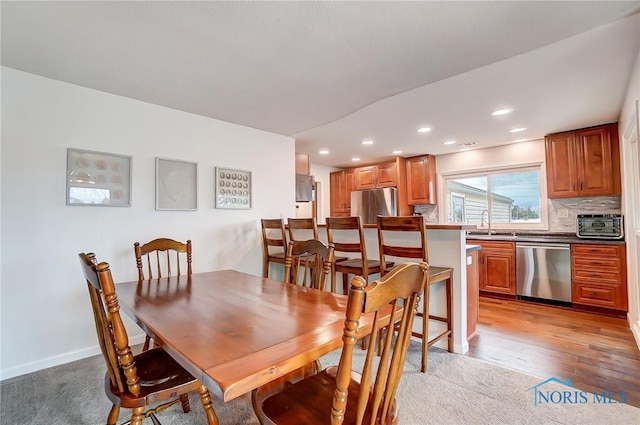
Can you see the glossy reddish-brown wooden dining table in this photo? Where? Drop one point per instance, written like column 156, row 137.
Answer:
column 235, row 331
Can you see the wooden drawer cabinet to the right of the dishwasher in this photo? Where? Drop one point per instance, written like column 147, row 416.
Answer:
column 598, row 276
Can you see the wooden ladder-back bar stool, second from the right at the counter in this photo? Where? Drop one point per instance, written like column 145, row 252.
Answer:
column 346, row 234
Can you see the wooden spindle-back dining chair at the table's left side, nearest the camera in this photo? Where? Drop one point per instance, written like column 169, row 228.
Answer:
column 135, row 381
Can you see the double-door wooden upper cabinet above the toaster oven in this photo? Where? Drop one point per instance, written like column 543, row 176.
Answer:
column 584, row 162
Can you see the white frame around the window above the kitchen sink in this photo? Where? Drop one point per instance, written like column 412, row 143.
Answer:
column 487, row 171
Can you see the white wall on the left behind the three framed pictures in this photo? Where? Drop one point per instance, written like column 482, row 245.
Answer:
column 45, row 311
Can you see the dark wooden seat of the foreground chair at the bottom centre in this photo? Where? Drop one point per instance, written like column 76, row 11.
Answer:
column 309, row 401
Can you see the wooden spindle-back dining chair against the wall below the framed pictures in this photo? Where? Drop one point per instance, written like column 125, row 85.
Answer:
column 163, row 257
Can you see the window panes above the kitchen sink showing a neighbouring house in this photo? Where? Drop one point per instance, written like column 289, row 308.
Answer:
column 510, row 198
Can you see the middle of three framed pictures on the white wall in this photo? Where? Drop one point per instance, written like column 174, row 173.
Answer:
column 176, row 185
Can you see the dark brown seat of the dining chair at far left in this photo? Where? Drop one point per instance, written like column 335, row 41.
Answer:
column 158, row 373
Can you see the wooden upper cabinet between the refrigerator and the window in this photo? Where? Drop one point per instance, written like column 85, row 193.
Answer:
column 421, row 180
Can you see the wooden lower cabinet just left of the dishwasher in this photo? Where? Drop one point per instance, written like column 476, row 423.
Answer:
column 496, row 267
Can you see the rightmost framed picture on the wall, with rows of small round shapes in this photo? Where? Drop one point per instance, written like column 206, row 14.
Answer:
column 233, row 189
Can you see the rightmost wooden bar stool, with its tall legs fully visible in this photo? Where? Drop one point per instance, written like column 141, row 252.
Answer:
column 405, row 237
